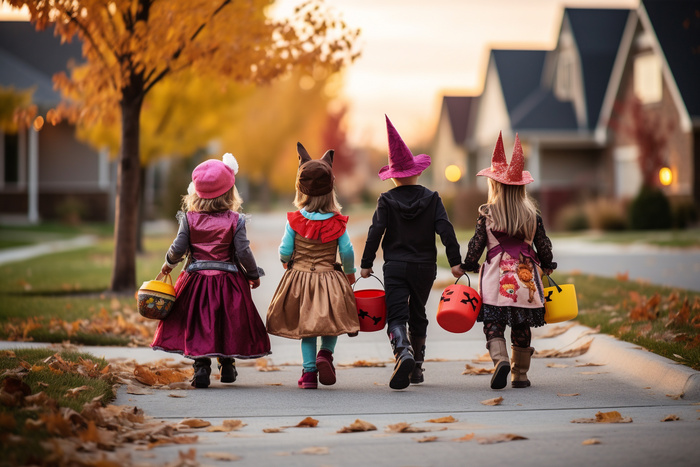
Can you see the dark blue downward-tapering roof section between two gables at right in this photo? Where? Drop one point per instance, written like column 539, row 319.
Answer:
column 598, row 33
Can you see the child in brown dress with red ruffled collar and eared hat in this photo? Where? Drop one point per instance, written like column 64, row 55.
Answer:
column 314, row 298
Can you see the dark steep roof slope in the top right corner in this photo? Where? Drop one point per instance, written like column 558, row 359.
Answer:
column 677, row 27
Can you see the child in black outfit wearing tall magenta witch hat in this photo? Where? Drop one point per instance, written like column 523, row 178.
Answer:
column 408, row 217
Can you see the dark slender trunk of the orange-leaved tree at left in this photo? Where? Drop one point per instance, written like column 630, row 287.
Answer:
column 127, row 204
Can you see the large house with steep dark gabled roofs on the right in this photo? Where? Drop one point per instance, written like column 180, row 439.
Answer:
column 568, row 105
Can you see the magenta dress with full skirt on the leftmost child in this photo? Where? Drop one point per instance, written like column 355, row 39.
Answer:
column 214, row 314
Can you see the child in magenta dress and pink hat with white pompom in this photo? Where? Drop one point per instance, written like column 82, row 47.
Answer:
column 214, row 314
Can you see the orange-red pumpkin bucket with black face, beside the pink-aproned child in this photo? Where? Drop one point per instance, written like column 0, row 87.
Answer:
column 459, row 306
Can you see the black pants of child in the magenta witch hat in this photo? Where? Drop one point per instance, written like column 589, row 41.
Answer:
column 407, row 287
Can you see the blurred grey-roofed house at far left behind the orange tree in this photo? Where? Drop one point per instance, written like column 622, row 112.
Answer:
column 45, row 172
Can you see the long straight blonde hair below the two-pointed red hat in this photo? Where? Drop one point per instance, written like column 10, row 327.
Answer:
column 511, row 209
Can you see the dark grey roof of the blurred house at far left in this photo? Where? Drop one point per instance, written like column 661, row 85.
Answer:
column 29, row 59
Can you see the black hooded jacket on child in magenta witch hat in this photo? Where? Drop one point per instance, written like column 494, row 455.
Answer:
column 408, row 217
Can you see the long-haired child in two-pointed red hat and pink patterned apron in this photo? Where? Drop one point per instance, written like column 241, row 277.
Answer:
column 509, row 284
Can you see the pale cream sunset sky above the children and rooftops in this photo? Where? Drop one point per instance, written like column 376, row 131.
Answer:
column 414, row 51
